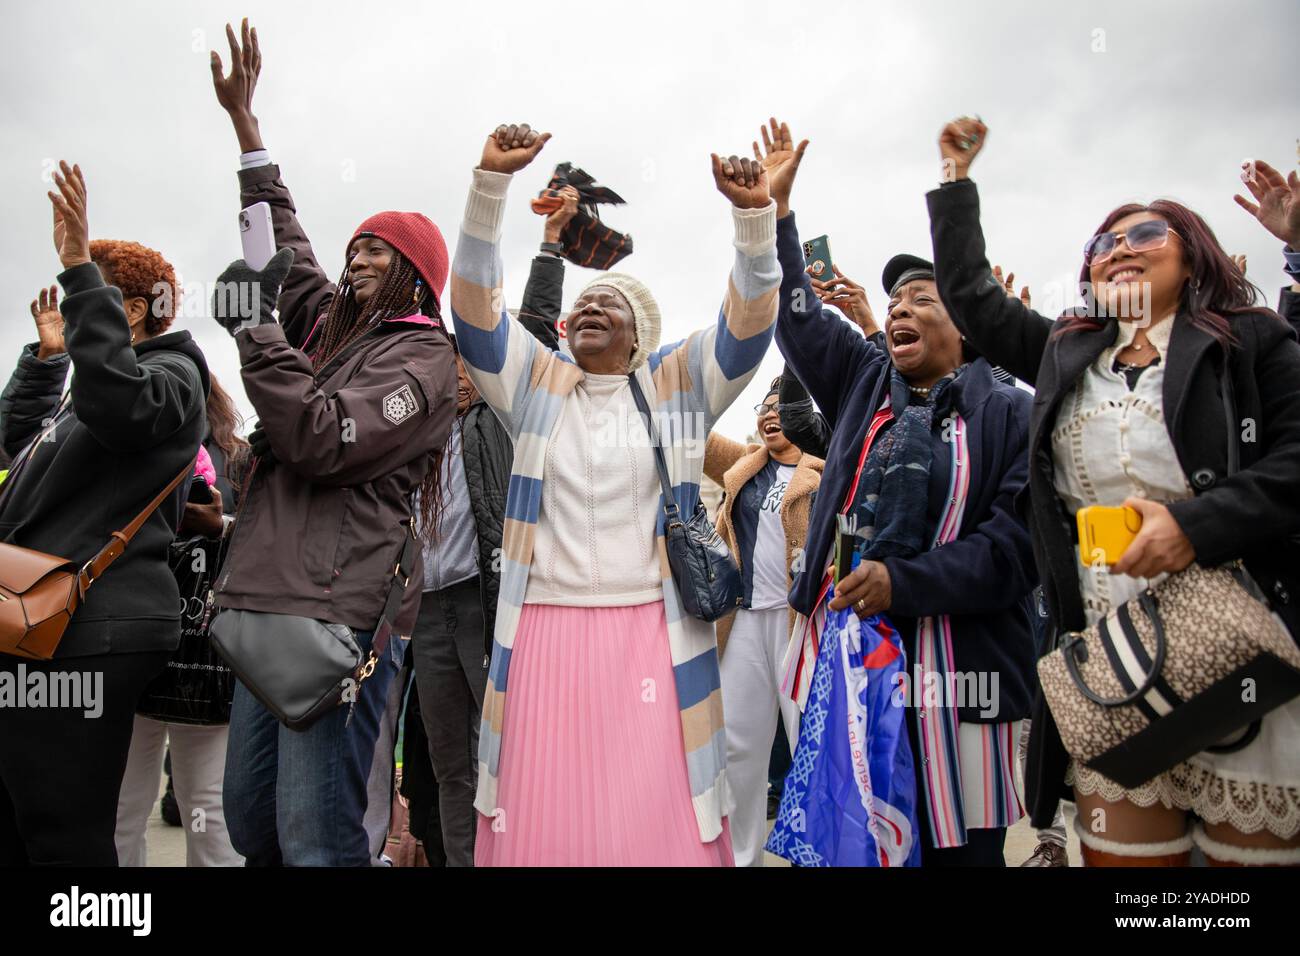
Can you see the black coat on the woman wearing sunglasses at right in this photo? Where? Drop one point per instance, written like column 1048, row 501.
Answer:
column 1254, row 516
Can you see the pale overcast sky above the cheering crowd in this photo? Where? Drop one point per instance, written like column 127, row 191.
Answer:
column 370, row 107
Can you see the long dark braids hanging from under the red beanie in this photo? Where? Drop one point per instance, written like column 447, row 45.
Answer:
column 401, row 293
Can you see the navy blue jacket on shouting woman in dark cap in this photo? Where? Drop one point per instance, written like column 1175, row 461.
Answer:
column 981, row 579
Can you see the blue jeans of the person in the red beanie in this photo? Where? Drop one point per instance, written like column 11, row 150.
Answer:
column 298, row 798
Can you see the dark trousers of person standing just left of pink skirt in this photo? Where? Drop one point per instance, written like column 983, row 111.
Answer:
column 452, row 674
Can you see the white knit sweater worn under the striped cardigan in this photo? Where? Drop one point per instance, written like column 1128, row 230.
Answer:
column 596, row 529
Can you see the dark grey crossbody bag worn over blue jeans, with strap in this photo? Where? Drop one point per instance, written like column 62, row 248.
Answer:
column 300, row 668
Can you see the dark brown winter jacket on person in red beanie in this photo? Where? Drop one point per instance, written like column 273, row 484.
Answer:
column 320, row 531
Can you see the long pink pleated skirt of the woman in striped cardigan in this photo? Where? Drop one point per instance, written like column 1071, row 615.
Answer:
column 593, row 772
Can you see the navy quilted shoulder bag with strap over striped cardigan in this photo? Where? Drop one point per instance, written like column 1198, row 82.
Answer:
column 707, row 576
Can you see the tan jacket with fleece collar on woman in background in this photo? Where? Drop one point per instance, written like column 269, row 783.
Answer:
column 733, row 465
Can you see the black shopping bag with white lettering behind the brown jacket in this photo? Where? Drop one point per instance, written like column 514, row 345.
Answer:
column 197, row 686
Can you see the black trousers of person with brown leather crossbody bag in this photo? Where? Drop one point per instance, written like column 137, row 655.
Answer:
column 62, row 760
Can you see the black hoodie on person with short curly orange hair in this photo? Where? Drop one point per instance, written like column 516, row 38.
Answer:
column 133, row 418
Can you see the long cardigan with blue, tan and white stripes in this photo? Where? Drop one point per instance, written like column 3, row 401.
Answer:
column 694, row 382
